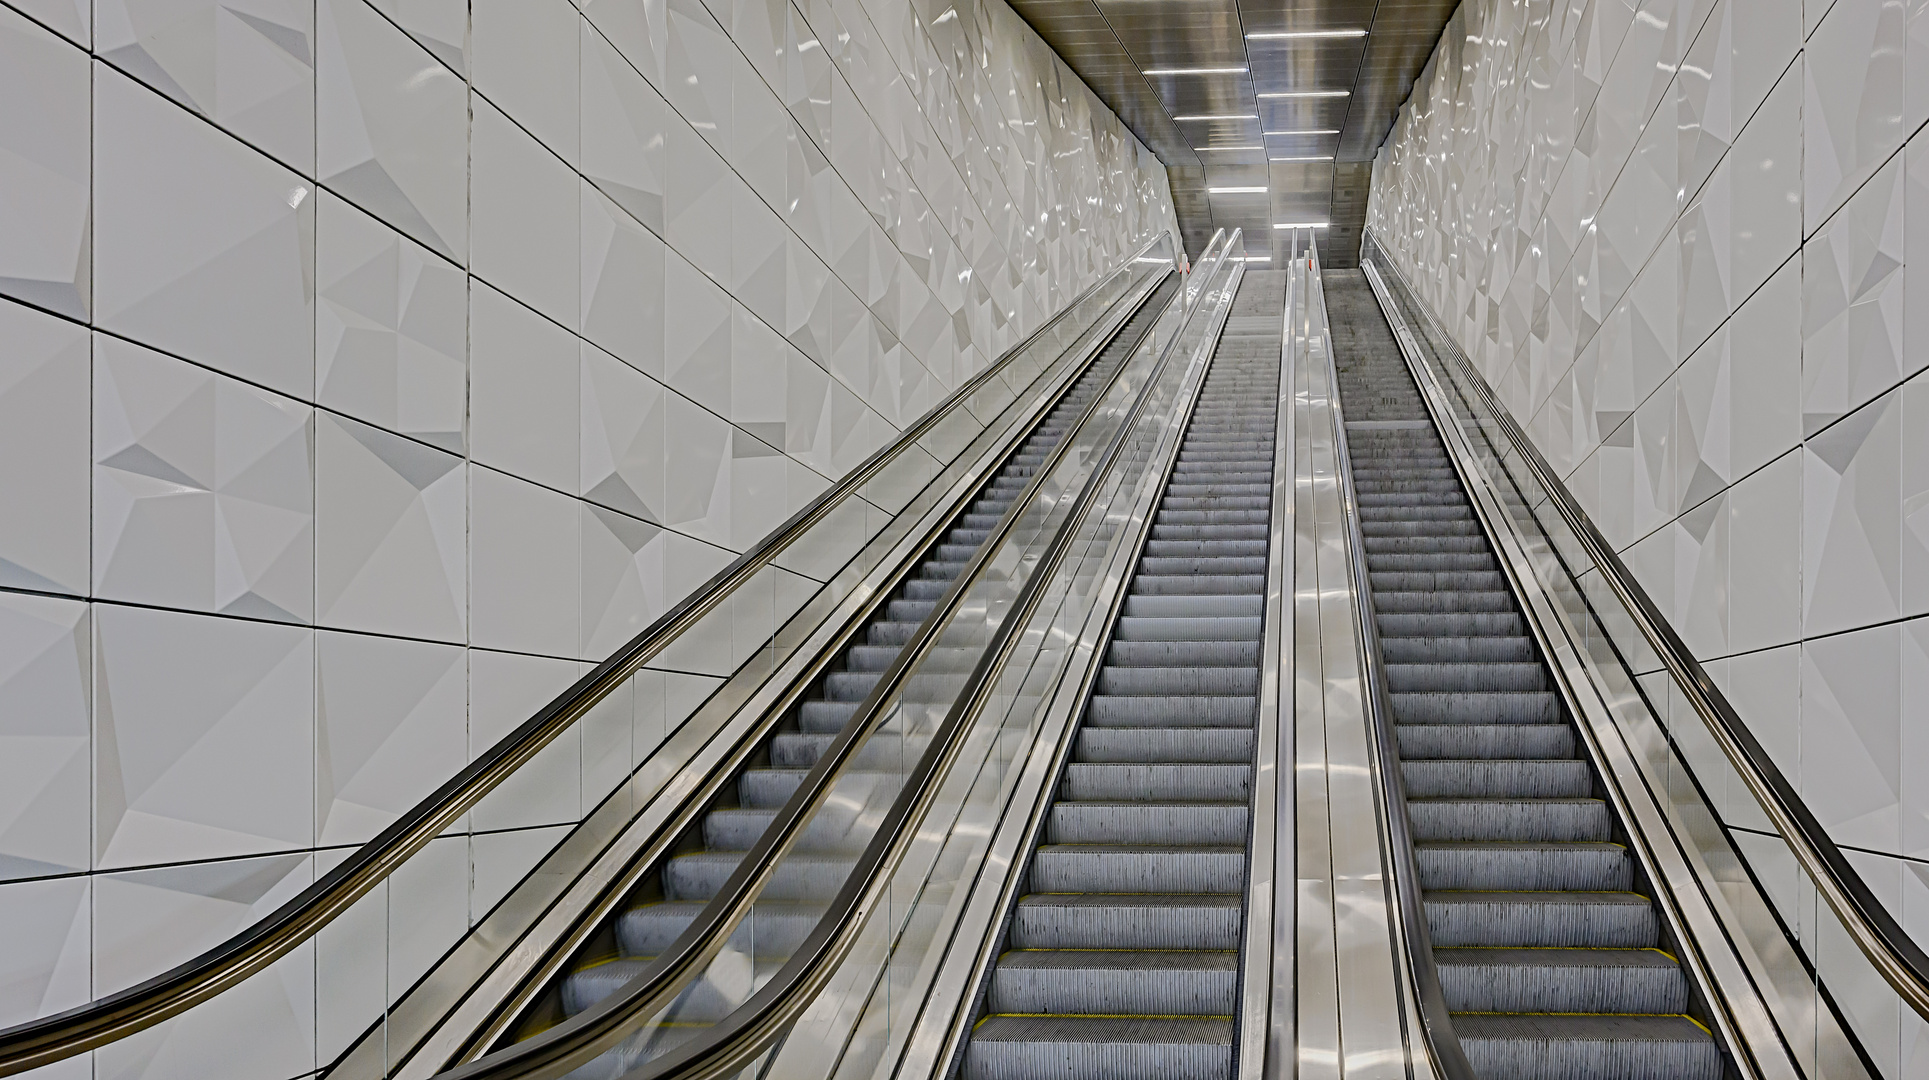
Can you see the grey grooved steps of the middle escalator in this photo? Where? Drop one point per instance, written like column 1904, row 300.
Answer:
column 1124, row 954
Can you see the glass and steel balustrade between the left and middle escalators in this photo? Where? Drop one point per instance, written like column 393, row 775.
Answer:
column 954, row 749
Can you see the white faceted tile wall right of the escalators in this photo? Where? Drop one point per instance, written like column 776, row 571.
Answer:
column 1689, row 244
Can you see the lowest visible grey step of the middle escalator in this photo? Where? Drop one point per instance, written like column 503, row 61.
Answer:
column 1100, row 1048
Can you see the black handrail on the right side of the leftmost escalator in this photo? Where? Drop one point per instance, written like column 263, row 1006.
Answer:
column 593, row 1031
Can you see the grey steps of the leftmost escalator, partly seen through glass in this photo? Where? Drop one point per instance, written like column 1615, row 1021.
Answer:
column 794, row 902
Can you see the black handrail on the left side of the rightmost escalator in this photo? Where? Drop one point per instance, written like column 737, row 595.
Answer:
column 1436, row 1021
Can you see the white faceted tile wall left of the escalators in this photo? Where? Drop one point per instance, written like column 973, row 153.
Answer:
column 369, row 367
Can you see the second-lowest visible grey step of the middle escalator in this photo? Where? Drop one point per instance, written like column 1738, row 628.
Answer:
column 1114, row 983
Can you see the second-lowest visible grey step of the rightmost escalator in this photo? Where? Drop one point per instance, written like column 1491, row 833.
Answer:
column 1562, row 981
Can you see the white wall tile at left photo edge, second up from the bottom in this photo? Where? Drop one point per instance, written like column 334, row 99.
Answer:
column 45, row 715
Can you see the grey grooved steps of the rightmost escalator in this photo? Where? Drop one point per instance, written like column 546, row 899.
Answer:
column 1548, row 959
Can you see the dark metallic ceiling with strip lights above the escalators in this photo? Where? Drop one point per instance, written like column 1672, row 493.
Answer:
column 1264, row 111
